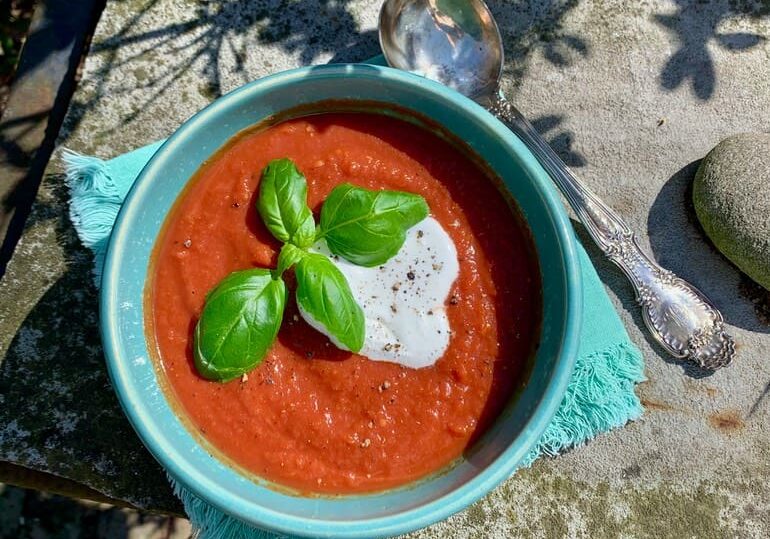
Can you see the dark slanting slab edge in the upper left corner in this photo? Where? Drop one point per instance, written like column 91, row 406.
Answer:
column 58, row 39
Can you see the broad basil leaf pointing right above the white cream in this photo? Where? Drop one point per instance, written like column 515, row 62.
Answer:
column 369, row 227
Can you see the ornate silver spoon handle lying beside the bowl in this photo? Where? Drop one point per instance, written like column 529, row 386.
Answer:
column 677, row 314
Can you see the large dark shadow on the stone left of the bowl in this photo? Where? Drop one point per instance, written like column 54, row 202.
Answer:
column 60, row 413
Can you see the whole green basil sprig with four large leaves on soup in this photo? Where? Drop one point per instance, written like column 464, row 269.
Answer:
column 243, row 313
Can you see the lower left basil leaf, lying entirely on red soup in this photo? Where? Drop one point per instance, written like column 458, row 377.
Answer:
column 238, row 324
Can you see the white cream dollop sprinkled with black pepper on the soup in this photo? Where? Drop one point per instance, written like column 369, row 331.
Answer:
column 404, row 299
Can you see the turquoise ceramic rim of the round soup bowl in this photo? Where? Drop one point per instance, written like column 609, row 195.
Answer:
column 437, row 509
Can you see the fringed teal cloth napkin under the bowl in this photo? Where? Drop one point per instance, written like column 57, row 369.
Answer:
column 600, row 395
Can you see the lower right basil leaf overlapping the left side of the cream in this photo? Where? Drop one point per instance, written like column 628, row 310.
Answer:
column 324, row 295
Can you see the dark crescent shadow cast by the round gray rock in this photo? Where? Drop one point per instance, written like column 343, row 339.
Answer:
column 679, row 244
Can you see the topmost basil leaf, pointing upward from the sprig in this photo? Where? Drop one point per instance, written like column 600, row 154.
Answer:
column 282, row 203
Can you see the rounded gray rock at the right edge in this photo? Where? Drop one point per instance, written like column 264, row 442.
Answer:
column 732, row 199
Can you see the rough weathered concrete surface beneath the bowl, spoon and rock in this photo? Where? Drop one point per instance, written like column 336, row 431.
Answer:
column 632, row 94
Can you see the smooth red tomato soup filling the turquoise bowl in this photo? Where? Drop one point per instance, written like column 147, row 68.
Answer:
column 312, row 417
